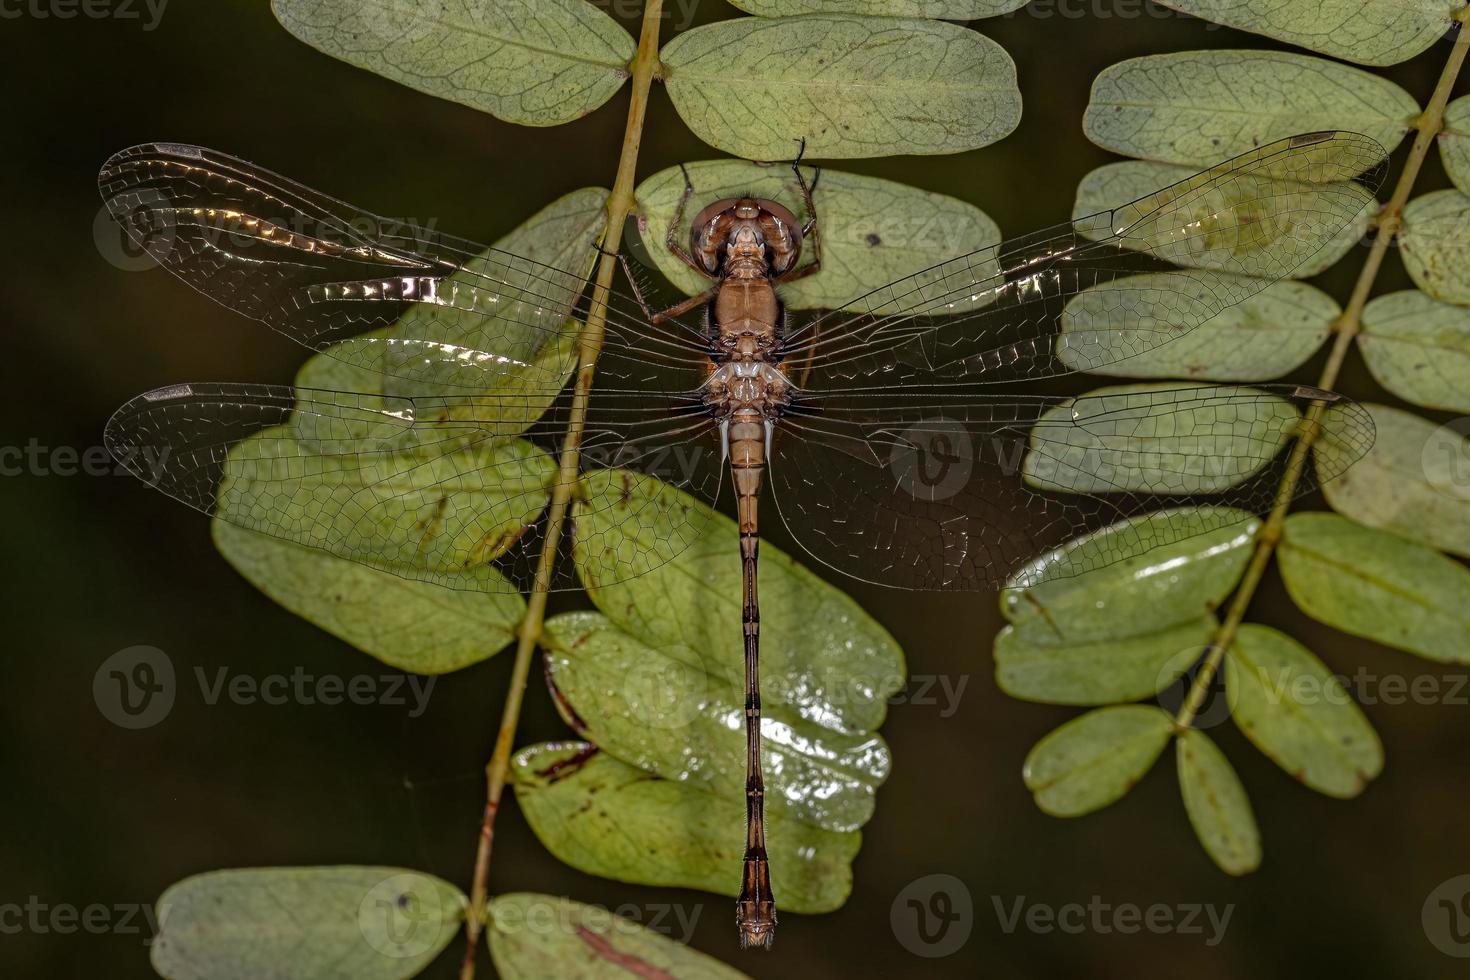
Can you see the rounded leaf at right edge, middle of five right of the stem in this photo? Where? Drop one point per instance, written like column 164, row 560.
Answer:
column 1419, row 349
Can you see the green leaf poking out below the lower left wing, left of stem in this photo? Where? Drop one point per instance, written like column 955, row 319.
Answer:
column 414, row 627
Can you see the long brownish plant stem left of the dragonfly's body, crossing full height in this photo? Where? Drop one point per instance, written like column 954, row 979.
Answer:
column 590, row 345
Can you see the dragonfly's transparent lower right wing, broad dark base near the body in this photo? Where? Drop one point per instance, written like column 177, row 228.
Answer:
column 934, row 491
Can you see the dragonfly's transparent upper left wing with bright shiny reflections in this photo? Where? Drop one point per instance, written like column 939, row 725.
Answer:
column 430, row 312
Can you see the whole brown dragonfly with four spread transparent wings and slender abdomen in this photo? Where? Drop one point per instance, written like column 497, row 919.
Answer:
column 434, row 433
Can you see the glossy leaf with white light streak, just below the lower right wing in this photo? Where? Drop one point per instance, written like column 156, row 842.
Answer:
column 1116, row 600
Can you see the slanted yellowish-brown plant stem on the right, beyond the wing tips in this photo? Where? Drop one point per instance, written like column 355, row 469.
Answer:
column 1390, row 220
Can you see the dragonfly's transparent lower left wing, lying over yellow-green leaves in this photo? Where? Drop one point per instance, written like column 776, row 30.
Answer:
column 418, row 487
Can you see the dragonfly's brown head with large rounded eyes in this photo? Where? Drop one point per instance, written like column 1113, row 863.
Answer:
column 746, row 231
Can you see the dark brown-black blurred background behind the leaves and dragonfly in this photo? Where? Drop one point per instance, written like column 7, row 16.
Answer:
column 96, row 815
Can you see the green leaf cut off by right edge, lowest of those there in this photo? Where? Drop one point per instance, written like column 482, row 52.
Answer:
column 1378, row 586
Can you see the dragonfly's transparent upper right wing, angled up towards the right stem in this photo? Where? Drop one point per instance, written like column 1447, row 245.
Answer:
column 997, row 315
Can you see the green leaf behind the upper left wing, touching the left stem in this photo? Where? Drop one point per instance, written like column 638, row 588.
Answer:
column 537, row 353
